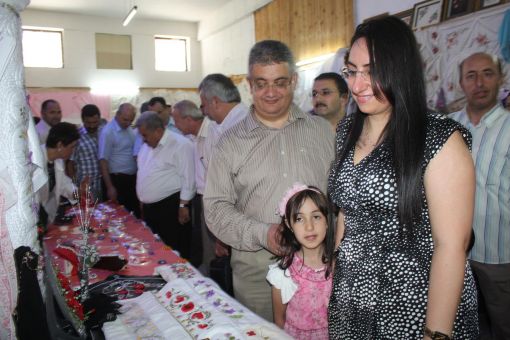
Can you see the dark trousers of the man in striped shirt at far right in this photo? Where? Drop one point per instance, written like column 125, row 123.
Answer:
column 494, row 287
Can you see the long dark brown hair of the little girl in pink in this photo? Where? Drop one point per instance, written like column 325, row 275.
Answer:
column 288, row 242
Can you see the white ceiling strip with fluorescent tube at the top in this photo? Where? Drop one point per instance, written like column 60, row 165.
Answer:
column 180, row 10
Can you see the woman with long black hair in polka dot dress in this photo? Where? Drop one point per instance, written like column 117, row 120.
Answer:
column 404, row 182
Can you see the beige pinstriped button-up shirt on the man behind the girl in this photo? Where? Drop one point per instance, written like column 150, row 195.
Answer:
column 253, row 166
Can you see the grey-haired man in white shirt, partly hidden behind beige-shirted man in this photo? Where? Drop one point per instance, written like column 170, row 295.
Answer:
column 221, row 102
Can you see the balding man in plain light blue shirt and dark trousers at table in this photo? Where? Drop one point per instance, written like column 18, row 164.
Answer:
column 118, row 166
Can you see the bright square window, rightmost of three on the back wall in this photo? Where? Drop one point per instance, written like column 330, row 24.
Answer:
column 172, row 53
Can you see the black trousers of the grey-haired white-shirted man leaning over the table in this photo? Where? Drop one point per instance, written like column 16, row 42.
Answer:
column 163, row 218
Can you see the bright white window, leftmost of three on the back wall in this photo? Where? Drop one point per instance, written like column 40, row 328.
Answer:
column 42, row 47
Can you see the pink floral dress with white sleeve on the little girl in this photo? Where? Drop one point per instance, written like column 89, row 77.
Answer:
column 306, row 292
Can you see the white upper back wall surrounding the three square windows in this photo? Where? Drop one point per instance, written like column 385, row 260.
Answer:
column 80, row 60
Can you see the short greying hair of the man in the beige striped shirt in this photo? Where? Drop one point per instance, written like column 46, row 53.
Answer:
column 267, row 52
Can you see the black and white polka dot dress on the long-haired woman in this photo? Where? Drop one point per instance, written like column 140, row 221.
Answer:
column 380, row 282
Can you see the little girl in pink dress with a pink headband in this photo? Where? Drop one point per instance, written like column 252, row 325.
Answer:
column 302, row 277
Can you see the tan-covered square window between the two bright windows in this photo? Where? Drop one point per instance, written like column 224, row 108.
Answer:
column 113, row 51
